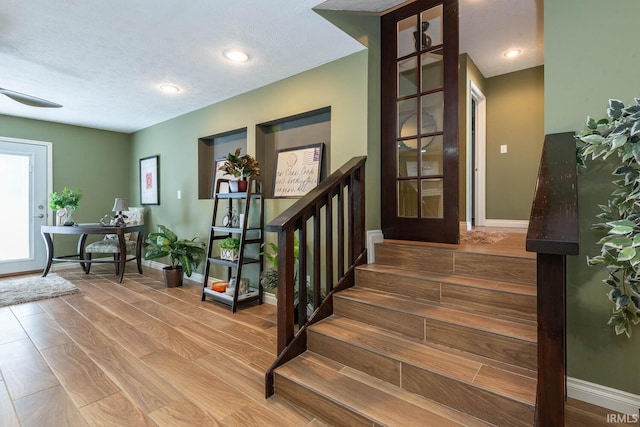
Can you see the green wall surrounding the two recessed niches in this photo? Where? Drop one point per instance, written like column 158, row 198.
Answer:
column 342, row 85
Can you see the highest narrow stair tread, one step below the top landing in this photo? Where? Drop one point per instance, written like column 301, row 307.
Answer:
column 452, row 279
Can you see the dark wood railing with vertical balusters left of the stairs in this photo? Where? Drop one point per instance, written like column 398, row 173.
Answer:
column 327, row 255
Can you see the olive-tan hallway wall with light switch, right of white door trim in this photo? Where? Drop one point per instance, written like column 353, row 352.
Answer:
column 515, row 117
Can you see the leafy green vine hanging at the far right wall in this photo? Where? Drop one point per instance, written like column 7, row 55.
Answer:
column 618, row 134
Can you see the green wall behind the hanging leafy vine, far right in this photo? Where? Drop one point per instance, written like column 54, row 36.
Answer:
column 591, row 55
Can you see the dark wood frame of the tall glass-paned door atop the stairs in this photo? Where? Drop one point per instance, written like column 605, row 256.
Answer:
column 443, row 229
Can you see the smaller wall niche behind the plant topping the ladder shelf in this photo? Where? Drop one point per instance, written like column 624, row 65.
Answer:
column 214, row 147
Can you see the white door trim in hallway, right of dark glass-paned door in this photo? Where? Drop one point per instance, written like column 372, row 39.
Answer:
column 480, row 160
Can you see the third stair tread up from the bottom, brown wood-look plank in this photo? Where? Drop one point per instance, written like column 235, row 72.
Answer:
column 515, row 328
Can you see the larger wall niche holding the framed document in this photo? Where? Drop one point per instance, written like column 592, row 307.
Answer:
column 300, row 130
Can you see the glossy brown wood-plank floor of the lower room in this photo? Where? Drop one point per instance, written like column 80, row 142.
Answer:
column 139, row 354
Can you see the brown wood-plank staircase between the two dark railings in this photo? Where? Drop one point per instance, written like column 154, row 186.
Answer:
column 431, row 335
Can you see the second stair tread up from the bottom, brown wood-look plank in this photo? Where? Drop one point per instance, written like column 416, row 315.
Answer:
column 497, row 378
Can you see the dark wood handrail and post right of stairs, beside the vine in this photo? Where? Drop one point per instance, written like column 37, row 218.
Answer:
column 553, row 234
